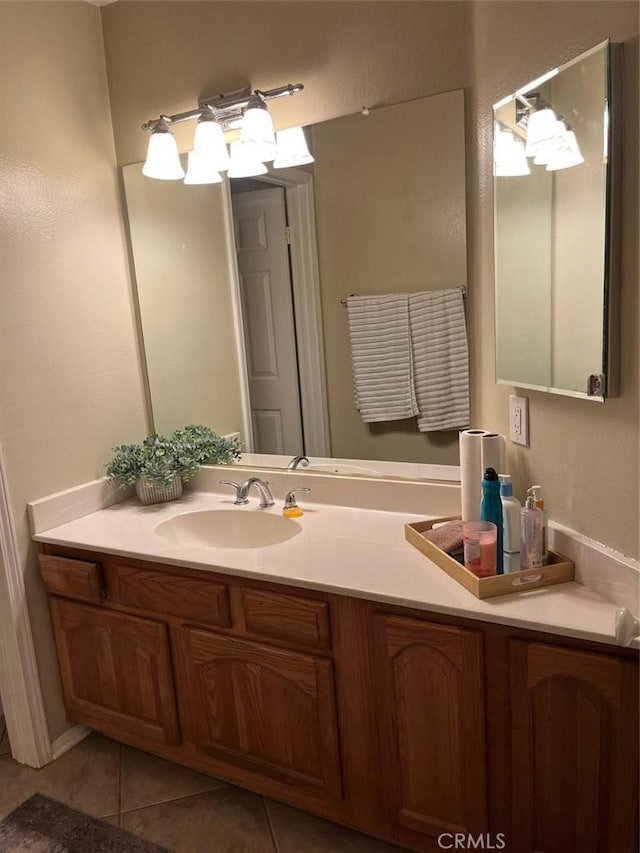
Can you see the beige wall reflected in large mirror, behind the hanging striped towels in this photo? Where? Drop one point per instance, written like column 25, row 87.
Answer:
column 390, row 217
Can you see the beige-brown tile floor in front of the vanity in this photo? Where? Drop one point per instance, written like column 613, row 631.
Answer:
column 185, row 811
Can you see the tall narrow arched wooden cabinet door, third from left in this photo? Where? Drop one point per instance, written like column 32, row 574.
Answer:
column 432, row 719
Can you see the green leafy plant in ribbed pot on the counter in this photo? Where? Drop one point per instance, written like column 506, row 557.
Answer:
column 159, row 466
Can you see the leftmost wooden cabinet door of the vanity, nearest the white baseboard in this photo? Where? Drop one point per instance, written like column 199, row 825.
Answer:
column 116, row 672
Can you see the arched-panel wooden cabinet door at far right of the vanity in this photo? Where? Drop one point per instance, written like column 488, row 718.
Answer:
column 575, row 751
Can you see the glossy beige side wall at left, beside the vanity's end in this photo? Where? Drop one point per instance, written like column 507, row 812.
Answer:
column 70, row 385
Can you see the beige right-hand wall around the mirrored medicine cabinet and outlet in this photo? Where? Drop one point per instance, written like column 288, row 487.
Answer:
column 585, row 454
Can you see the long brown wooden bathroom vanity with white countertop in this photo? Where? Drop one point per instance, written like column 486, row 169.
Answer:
column 377, row 693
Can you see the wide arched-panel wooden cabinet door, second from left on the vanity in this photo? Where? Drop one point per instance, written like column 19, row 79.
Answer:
column 270, row 711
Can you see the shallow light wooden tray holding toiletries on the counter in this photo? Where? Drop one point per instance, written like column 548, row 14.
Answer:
column 558, row 570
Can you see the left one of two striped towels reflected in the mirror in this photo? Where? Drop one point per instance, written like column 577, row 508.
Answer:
column 381, row 357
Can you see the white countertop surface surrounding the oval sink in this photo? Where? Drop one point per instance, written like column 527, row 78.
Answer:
column 341, row 550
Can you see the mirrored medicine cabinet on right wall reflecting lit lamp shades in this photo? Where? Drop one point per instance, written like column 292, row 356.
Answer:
column 554, row 281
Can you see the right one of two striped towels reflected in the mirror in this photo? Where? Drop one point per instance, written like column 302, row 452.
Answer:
column 440, row 359
